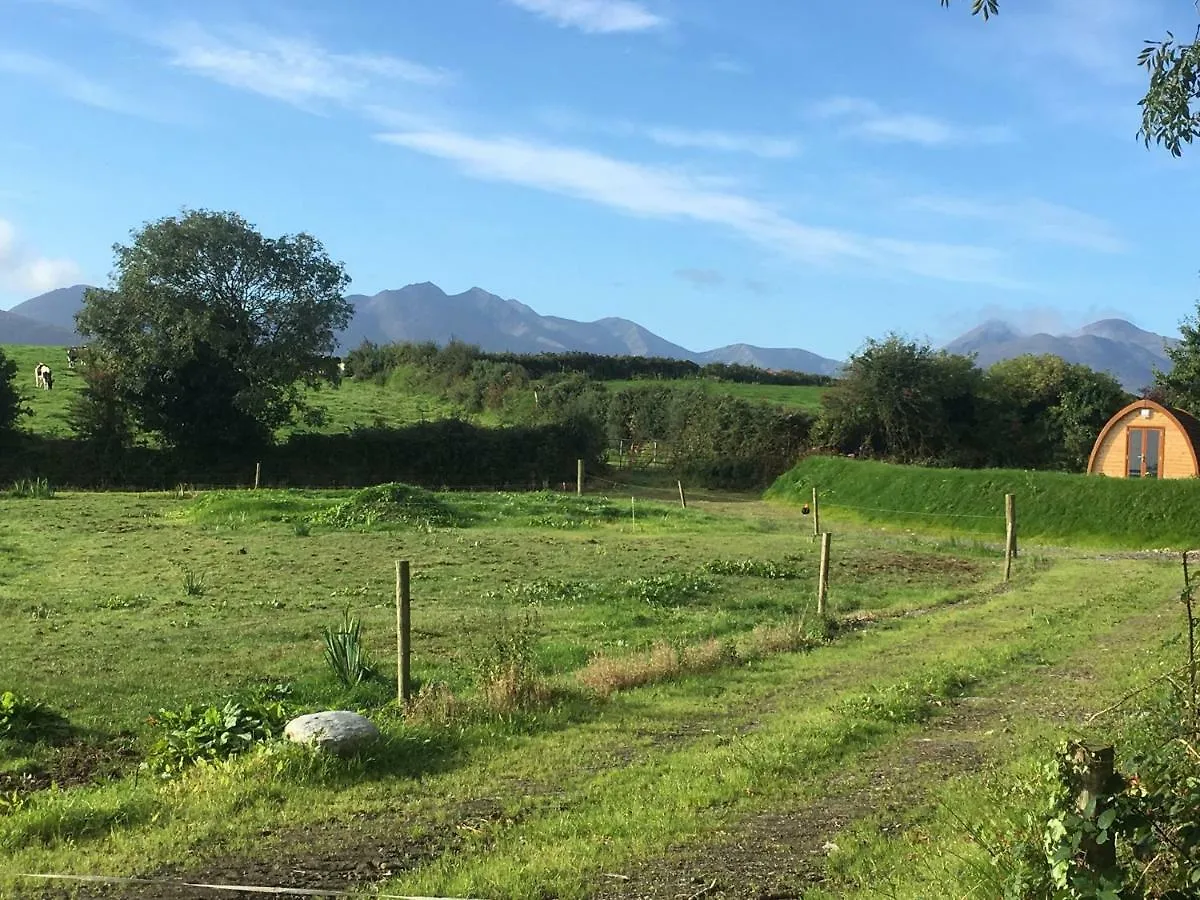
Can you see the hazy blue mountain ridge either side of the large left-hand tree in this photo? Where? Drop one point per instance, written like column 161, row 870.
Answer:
column 425, row 313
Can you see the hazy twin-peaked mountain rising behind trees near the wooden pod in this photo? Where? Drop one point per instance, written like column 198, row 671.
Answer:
column 1115, row 346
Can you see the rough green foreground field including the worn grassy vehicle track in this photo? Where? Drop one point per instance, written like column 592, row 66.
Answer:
column 699, row 728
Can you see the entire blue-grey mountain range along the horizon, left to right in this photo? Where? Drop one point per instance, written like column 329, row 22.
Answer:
column 425, row 313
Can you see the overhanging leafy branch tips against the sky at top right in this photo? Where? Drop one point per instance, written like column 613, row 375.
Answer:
column 1173, row 68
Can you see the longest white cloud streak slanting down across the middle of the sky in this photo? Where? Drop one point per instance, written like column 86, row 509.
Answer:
column 655, row 193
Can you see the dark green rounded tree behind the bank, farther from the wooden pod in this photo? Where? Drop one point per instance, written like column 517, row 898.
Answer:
column 904, row 401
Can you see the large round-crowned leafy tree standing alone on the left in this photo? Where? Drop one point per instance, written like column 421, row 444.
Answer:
column 211, row 331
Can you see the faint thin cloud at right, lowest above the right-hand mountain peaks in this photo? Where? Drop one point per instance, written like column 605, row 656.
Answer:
column 1033, row 219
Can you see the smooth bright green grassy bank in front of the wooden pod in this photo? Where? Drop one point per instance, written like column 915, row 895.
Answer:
column 1052, row 507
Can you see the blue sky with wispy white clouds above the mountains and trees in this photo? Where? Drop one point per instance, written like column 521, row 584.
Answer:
column 803, row 175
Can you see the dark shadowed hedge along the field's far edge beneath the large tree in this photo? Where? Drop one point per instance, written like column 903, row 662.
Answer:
column 442, row 454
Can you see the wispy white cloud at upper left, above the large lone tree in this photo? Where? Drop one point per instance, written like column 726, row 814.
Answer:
column 292, row 70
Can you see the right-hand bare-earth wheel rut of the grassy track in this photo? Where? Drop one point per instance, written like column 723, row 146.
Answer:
column 783, row 854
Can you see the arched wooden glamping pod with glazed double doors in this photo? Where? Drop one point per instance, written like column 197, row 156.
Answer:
column 1147, row 440
